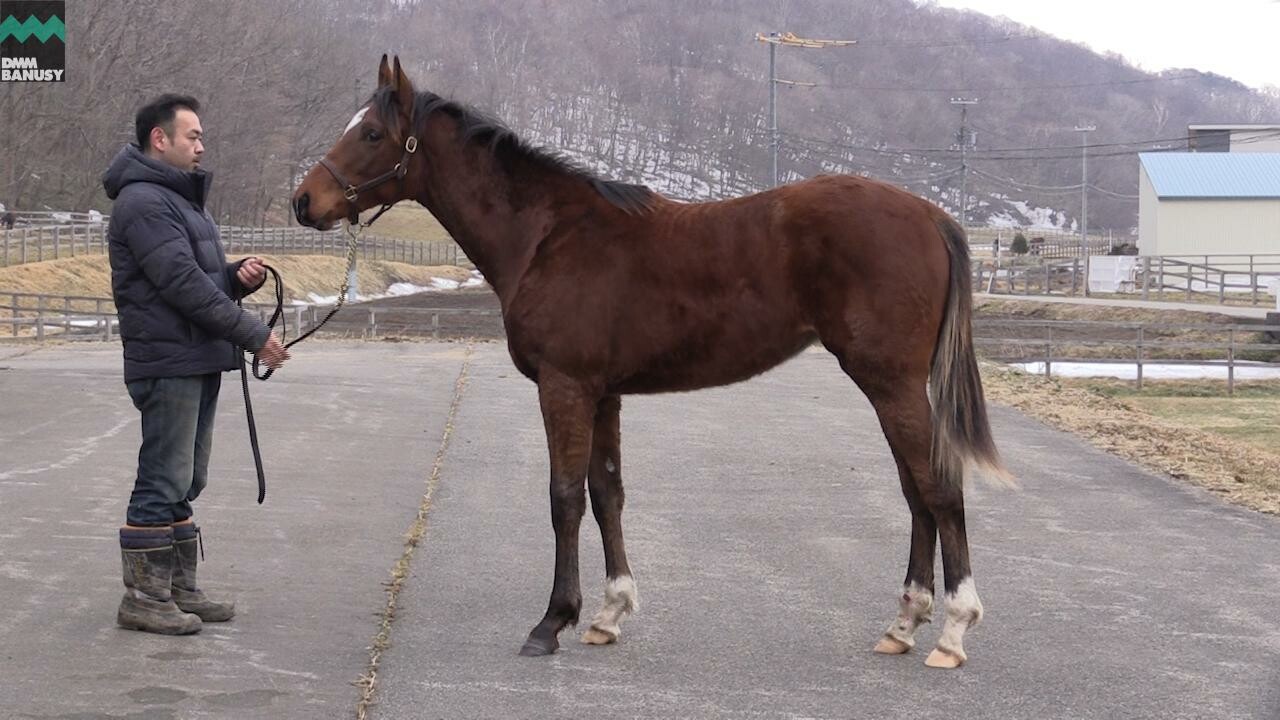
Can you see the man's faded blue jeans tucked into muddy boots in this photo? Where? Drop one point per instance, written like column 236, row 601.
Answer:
column 177, row 438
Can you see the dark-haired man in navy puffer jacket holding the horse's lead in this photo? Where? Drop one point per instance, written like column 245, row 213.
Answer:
column 176, row 298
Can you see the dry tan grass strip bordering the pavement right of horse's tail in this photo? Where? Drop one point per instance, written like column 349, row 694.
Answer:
column 1238, row 471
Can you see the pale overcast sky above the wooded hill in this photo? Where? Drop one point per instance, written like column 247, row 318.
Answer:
column 1238, row 39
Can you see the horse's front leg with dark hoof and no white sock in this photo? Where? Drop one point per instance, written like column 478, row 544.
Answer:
column 569, row 413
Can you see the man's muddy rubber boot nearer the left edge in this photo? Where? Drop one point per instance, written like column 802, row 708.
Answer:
column 148, row 605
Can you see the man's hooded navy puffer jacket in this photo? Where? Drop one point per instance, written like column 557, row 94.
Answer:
column 175, row 290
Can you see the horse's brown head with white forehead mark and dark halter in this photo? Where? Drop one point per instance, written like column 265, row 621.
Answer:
column 368, row 165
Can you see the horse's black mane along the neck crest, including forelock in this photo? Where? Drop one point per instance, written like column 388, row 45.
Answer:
column 506, row 145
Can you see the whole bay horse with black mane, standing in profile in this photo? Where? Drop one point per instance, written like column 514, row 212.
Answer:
column 610, row 289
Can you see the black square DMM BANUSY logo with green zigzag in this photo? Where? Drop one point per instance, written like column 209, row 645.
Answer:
column 33, row 40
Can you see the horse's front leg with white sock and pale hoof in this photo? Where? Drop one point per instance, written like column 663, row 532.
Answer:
column 605, row 481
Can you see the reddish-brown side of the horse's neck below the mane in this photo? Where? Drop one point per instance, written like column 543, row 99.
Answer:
column 473, row 200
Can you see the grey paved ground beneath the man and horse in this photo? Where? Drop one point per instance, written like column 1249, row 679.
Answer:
column 765, row 526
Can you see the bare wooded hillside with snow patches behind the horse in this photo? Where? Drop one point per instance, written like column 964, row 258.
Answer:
column 670, row 94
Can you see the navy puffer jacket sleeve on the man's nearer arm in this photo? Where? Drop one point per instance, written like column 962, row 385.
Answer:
column 163, row 250
